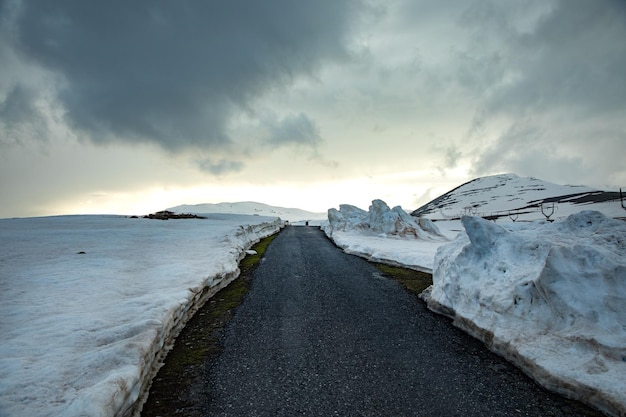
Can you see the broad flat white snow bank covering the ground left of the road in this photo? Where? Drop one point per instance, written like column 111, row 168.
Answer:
column 89, row 304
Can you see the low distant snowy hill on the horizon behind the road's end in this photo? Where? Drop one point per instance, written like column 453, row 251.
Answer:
column 251, row 208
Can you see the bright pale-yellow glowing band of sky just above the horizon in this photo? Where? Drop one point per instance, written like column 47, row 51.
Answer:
column 405, row 189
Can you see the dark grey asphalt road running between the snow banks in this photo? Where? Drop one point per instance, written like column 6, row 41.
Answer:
column 322, row 333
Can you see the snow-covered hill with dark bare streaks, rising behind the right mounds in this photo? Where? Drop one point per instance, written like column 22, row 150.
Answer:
column 501, row 196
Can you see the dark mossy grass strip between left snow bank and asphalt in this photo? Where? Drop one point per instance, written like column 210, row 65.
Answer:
column 172, row 390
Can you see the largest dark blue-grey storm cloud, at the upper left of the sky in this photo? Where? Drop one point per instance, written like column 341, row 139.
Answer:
column 174, row 72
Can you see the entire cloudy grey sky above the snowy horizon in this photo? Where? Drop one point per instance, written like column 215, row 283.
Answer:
column 132, row 107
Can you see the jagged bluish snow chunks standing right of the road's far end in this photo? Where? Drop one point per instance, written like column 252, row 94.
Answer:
column 380, row 219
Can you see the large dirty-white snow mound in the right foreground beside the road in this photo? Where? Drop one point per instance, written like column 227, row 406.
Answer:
column 550, row 297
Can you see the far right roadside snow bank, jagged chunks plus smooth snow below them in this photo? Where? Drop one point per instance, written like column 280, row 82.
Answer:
column 384, row 235
